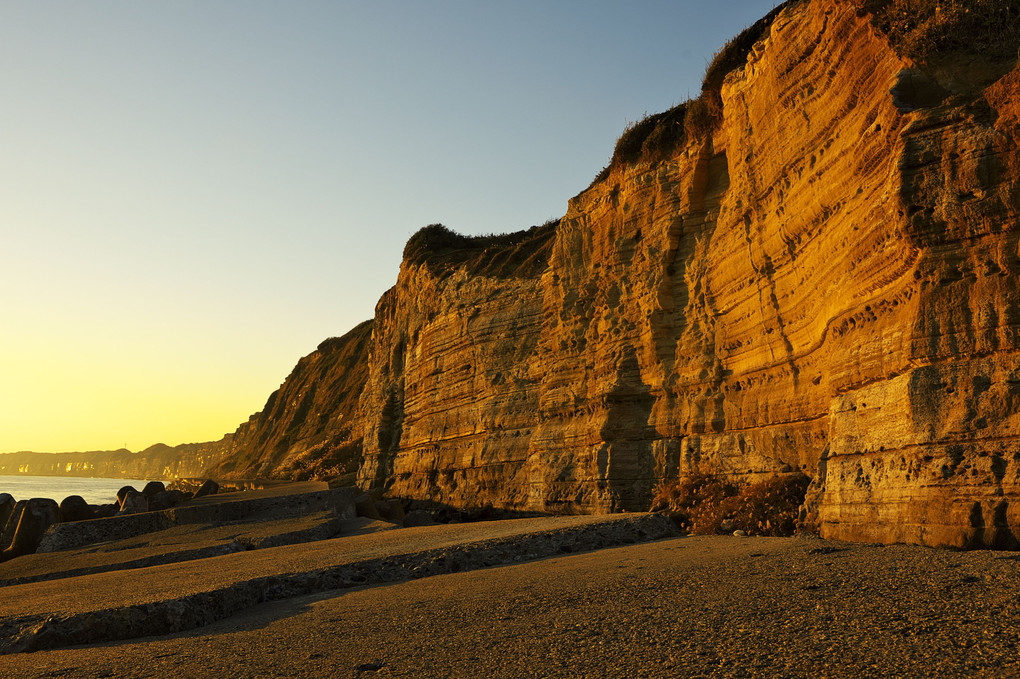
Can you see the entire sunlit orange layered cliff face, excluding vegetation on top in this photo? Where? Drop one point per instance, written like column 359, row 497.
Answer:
column 825, row 284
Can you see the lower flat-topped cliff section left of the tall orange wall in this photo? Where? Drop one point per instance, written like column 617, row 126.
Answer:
column 454, row 373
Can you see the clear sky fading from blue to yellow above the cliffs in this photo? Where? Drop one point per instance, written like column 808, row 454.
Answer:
column 195, row 194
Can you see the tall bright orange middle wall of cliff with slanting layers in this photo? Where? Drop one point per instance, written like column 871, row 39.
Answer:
column 725, row 291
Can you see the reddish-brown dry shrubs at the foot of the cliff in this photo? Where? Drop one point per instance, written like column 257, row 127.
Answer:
column 705, row 505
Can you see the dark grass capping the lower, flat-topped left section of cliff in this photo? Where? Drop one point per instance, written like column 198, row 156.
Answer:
column 523, row 254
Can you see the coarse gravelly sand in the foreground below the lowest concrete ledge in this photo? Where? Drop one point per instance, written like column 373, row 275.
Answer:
column 713, row 606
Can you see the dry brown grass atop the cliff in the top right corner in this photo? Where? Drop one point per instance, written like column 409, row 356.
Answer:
column 927, row 29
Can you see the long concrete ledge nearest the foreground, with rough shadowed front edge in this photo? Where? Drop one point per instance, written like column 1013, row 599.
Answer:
column 165, row 600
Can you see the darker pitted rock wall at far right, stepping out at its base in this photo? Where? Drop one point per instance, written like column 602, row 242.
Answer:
column 932, row 454
